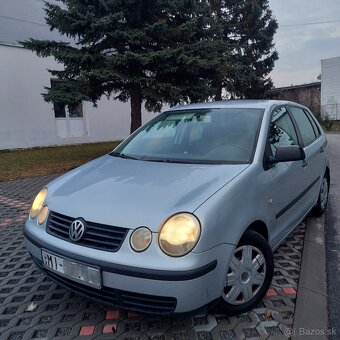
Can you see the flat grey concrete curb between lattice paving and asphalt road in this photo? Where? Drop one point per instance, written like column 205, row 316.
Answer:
column 311, row 312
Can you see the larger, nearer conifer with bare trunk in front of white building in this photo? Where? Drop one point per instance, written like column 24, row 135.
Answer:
column 151, row 51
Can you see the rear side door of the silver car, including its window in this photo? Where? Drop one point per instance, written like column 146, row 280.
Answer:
column 313, row 146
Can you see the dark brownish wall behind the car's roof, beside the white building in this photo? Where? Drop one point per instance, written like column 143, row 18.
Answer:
column 307, row 95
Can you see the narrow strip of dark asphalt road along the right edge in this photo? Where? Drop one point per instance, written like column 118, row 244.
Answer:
column 333, row 234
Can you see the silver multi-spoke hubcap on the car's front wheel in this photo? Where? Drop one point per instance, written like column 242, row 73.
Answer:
column 245, row 276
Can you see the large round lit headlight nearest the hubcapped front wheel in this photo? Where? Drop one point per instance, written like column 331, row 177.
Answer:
column 179, row 234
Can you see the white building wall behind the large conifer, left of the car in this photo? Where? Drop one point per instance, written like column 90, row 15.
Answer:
column 26, row 120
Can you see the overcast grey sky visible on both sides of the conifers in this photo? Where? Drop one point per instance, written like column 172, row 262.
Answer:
column 300, row 46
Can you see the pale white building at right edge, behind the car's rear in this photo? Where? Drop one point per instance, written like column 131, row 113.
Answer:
column 330, row 89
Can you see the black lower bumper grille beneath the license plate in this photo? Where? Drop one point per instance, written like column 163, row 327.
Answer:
column 122, row 299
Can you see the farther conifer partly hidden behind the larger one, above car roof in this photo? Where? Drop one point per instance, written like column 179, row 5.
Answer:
column 248, row 29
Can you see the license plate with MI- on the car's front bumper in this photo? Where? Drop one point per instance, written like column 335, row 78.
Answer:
column 75, row 271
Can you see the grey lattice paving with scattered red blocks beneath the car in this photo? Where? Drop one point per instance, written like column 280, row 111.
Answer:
column 58, row 313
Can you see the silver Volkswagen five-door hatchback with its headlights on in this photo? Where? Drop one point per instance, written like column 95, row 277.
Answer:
column 186, row 211
